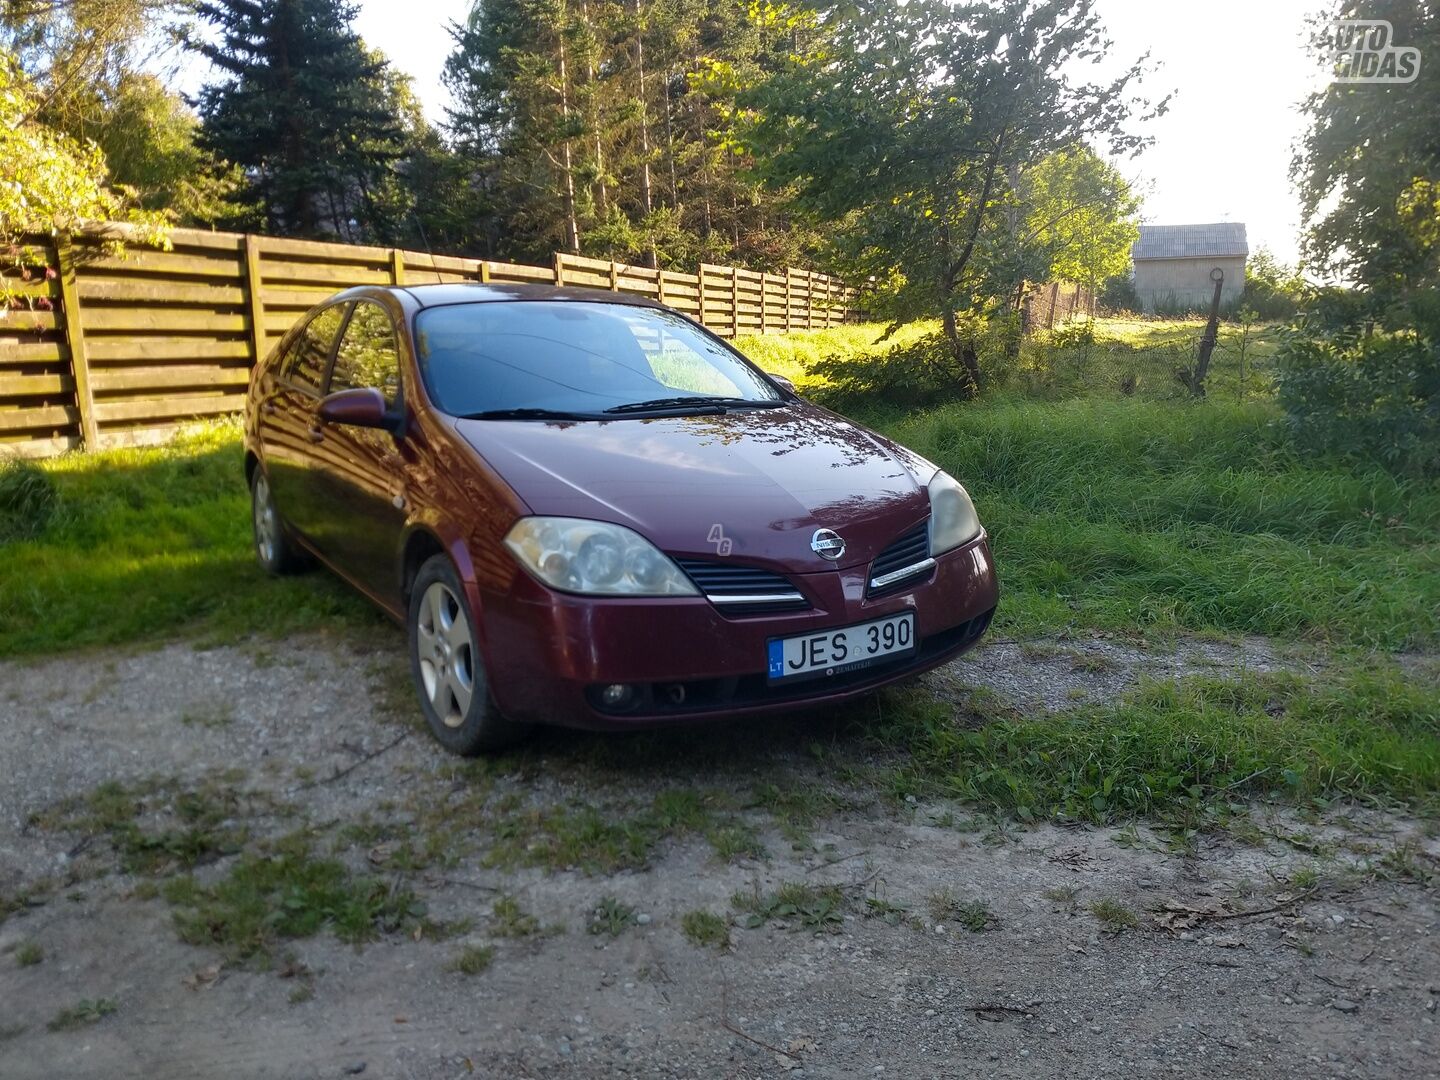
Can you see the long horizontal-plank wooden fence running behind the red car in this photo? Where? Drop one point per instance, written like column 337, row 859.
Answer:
column 103, row 351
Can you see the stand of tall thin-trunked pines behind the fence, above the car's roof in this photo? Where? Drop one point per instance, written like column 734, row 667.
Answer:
column 608, row 127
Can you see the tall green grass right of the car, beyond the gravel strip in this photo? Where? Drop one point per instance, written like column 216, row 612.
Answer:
column 1189, row 516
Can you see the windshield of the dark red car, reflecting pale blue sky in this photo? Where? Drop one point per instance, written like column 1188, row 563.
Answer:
column 577, row 358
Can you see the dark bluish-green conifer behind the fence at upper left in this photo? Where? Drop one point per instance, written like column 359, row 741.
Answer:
column 305, row 113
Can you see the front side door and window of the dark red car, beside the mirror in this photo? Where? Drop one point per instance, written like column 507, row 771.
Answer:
column 365, row 470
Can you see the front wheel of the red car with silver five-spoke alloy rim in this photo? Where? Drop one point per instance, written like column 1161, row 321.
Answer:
column 449, row 667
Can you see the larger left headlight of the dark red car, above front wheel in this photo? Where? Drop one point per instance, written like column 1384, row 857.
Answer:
column 595, row 558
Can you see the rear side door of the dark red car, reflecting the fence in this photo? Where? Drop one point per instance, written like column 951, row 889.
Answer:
column 289, row 420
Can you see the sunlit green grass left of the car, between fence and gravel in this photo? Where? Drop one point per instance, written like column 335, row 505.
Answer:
column 153, row 545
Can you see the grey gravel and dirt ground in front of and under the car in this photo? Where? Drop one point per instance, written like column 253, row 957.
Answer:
column 955, row 945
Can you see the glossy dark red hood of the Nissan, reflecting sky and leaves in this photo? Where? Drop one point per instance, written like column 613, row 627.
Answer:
column 751, row 485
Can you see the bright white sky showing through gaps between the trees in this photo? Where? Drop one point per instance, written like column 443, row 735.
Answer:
column 1222, row 153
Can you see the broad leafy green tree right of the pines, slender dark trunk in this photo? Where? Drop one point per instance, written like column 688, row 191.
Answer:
column 909, row 130
